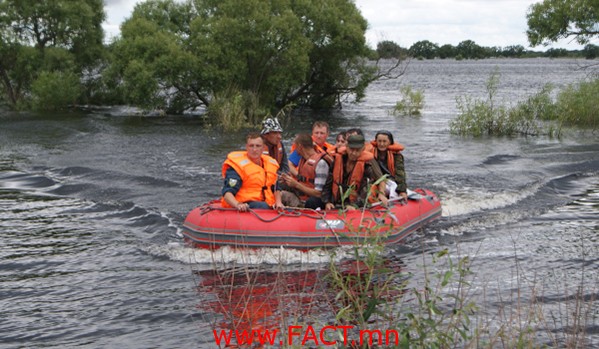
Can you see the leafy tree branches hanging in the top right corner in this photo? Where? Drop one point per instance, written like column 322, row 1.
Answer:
column 552, row 20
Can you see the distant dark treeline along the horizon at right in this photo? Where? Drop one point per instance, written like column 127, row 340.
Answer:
column 468, row 49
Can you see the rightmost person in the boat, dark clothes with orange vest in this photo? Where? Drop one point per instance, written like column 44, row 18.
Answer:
column 388, row 155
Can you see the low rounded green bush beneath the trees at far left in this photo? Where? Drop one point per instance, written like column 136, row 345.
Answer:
column 54, row 91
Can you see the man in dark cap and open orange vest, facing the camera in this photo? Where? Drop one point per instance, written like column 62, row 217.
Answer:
column 355, row 171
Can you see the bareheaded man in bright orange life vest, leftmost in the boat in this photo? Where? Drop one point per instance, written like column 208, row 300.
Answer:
column 251, row 178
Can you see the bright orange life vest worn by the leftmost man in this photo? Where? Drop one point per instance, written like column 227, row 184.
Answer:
column 256, row 180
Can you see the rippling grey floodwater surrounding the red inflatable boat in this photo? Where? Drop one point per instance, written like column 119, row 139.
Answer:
column 91, row 206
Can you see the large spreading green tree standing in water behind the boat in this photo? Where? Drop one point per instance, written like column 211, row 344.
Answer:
column 180, row 55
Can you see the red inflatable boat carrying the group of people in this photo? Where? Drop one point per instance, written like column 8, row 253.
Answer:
column 212, row 226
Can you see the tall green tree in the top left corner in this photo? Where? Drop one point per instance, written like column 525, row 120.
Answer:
column 46, row 36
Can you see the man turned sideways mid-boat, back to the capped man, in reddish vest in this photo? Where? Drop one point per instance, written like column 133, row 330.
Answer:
column 313, row 171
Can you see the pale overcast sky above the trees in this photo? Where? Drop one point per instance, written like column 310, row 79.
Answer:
column 486, row 22
